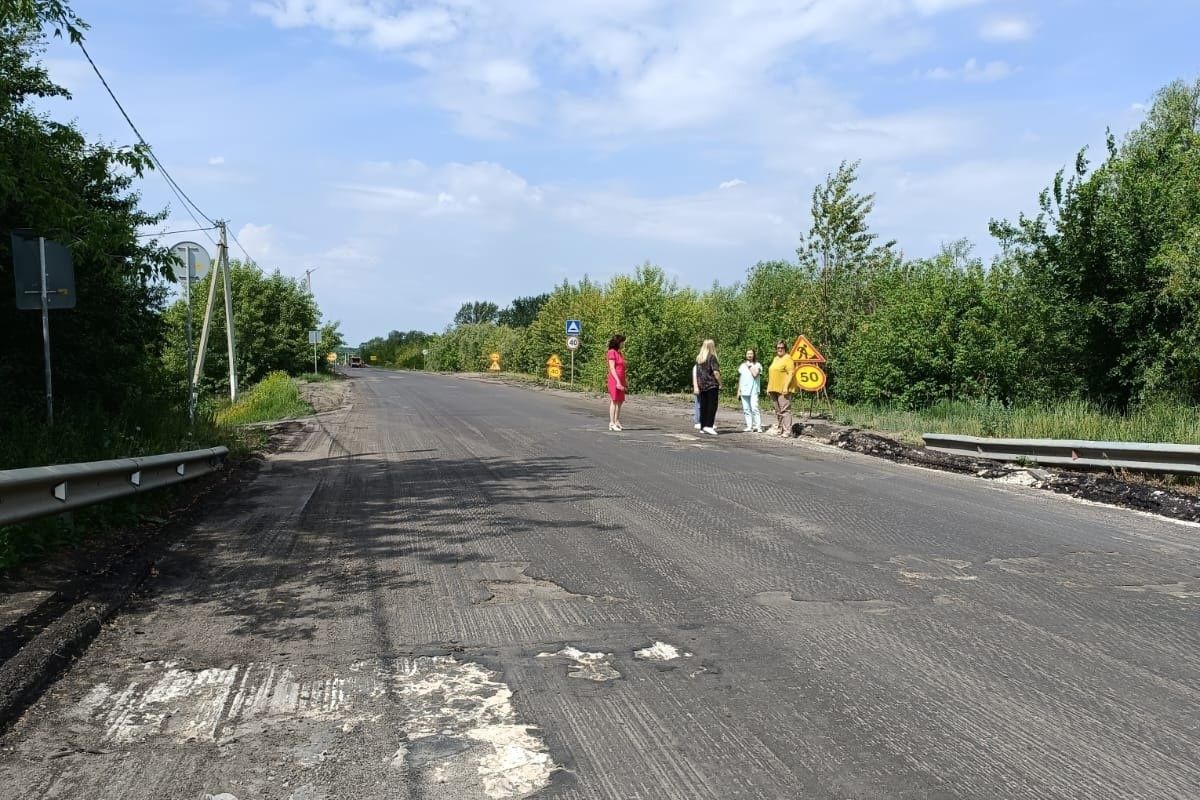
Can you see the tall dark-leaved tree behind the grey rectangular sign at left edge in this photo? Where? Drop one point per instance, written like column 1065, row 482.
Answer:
column 80, row 194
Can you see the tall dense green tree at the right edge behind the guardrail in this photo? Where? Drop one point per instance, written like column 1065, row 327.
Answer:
column 1105, row 251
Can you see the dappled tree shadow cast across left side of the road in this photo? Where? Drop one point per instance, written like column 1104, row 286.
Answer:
column 325, row 540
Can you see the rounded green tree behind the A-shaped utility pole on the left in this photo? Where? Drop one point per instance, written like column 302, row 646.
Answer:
column 273, row 316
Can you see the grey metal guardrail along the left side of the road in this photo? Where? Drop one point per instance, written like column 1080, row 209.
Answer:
column 44, row 491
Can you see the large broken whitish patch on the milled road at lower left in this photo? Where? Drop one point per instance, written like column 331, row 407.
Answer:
column 457, row 715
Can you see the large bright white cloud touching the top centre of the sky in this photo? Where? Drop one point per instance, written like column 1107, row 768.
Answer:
column 622, row 68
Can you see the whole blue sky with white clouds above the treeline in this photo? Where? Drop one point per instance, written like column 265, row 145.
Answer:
column 423, row 154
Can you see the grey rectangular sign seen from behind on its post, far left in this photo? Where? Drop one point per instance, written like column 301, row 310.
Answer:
column 45, row 276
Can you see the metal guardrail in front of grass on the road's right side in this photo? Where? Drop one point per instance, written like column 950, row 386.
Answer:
column 1071, row 453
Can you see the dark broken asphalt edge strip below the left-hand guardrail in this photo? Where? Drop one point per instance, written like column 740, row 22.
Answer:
column 47, row 655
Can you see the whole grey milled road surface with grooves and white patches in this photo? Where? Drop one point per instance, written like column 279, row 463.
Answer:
column 458, row 590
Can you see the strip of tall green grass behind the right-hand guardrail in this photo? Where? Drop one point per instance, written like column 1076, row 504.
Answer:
column 1065, row 420
